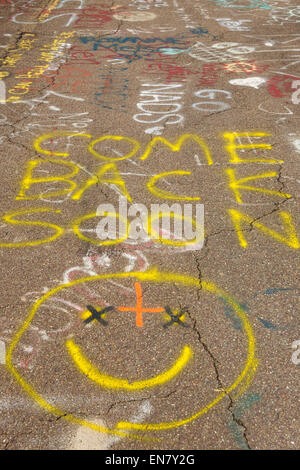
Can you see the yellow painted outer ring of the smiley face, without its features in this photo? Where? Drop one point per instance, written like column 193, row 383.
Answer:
column 152, row 275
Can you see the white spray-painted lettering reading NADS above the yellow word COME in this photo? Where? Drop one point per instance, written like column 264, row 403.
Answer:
column 162, row 104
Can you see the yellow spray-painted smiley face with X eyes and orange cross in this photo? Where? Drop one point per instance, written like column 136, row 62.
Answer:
column 94, row 374
